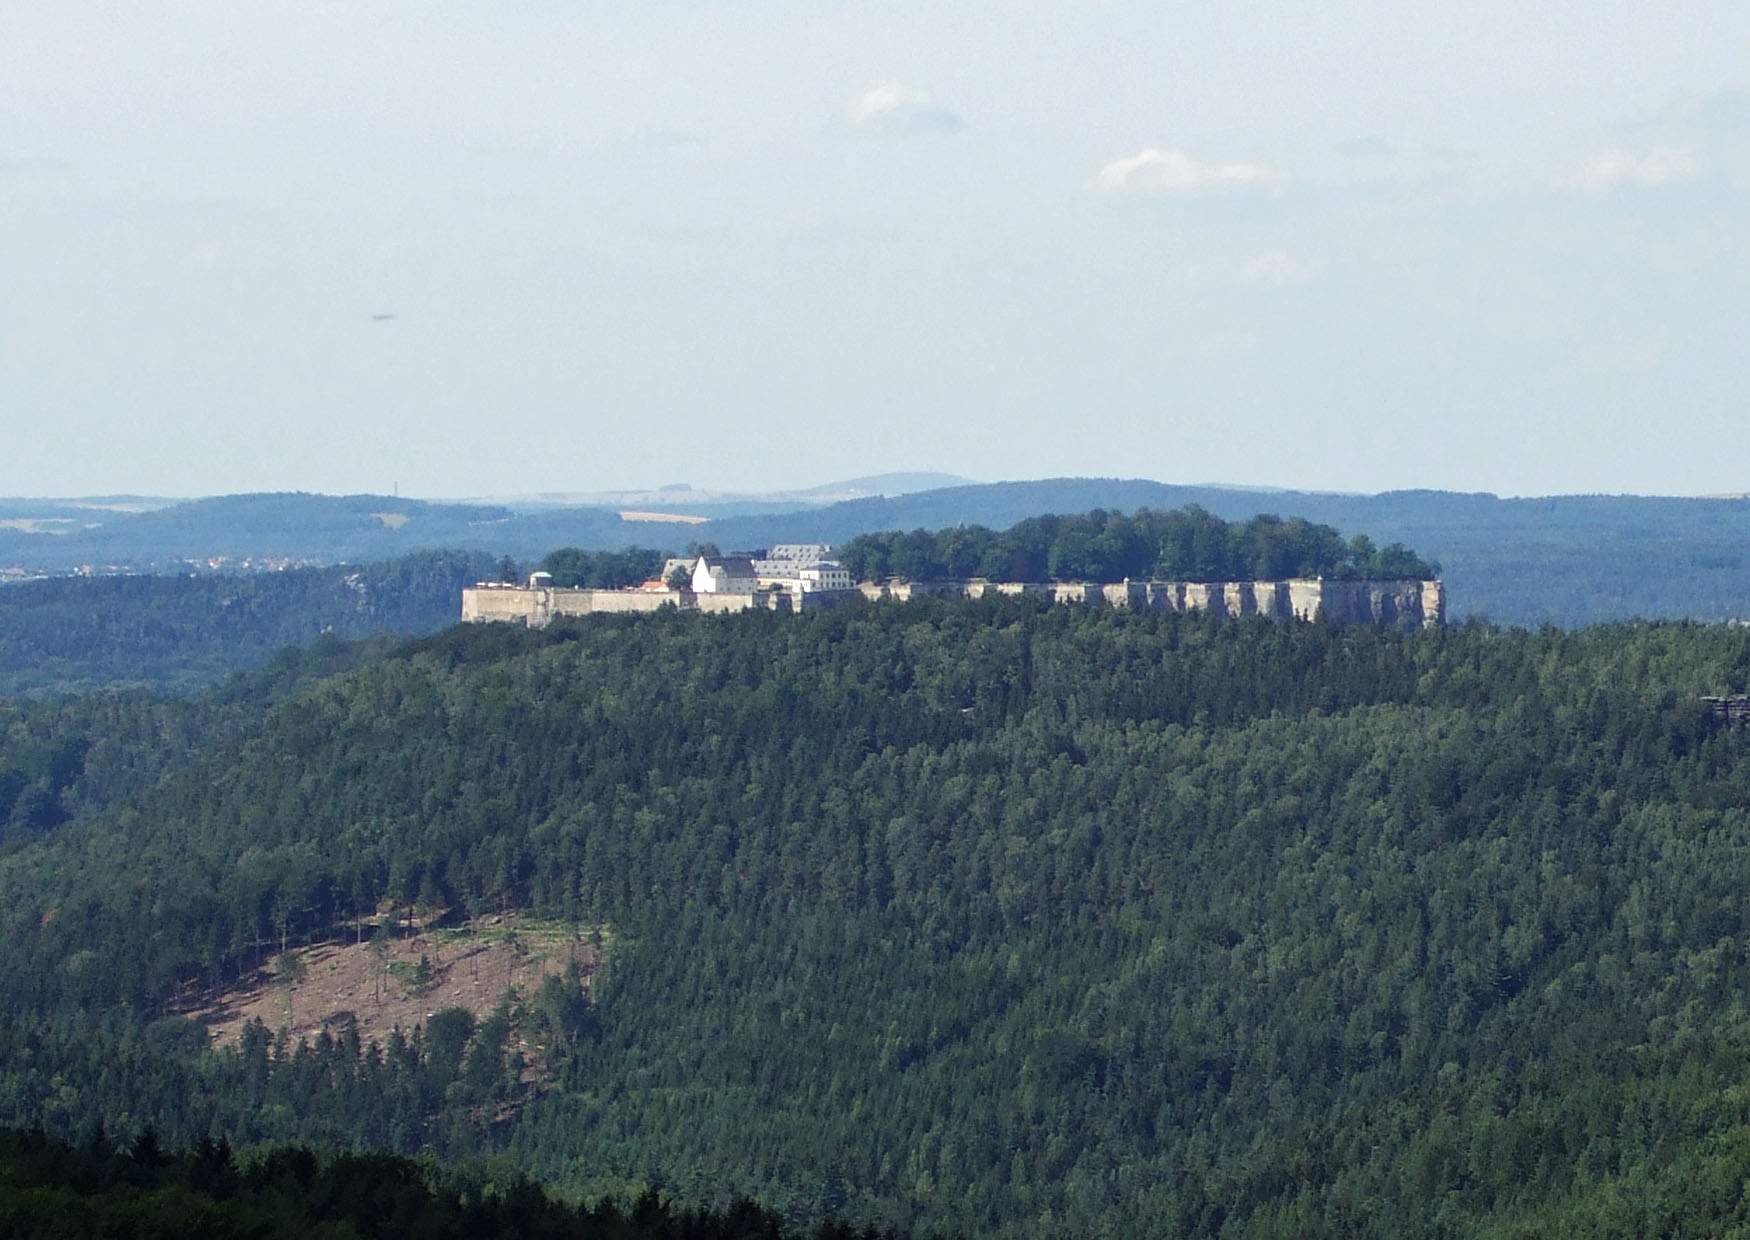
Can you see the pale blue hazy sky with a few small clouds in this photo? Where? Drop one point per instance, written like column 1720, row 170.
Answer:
column 524, row 246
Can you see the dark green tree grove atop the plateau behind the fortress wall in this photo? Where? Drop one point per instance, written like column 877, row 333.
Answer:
column 1184, row 545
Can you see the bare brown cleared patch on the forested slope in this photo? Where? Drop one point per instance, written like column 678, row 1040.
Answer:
column 473, row 966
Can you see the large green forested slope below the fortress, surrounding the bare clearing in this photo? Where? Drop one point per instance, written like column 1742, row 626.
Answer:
column 990, row 916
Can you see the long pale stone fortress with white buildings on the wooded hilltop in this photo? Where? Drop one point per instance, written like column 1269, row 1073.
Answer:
column 741, row 585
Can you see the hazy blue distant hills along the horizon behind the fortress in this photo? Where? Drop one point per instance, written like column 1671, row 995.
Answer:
column 1565, row 561
